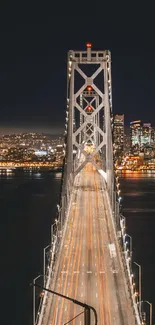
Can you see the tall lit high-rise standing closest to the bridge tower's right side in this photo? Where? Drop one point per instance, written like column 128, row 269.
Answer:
column 118, row 134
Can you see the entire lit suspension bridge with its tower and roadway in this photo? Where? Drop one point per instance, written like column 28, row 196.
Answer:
column 89, row 259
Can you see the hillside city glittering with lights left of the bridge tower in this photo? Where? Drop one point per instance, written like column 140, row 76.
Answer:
column 38, row 151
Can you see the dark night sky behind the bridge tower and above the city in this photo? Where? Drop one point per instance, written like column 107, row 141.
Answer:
column 33, row 58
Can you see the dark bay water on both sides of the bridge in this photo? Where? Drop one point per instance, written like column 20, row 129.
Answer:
column 28, row 205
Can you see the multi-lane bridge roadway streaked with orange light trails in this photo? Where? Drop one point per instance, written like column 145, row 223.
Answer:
column 88, row 267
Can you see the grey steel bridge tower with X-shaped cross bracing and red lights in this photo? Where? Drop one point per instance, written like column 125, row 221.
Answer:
column 89, row 112
